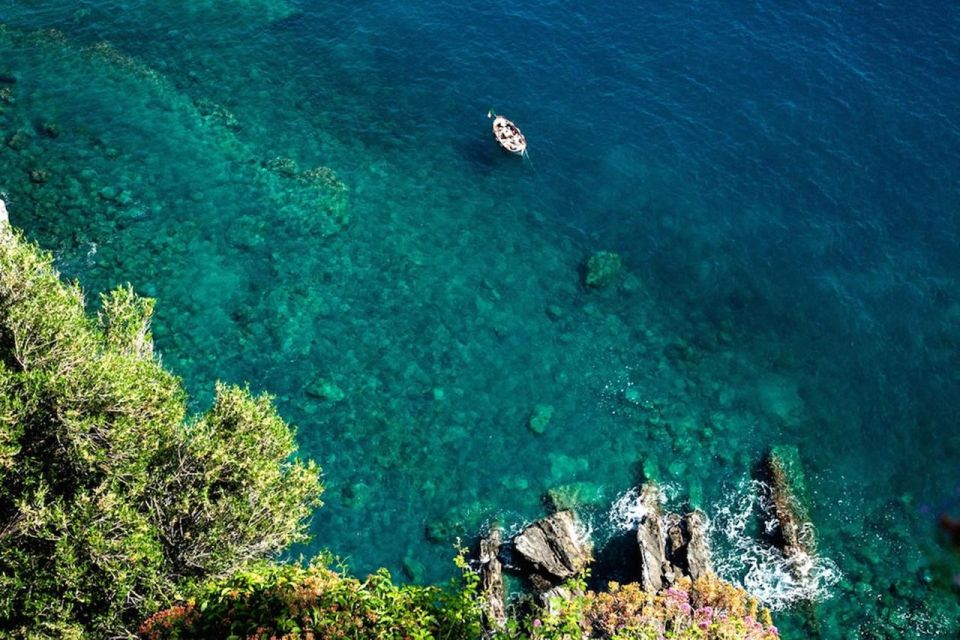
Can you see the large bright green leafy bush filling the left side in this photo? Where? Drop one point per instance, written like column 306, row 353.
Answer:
column 112, row 502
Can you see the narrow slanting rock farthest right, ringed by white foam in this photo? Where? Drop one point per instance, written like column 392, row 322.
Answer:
column 785, row 477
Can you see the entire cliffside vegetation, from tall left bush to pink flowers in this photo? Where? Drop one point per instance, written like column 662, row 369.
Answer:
column 122, row 516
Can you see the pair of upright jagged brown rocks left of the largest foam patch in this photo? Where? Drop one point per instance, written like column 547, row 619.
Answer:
column 670, row 546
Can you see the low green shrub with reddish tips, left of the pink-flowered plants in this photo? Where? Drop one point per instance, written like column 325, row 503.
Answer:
column 289, row 601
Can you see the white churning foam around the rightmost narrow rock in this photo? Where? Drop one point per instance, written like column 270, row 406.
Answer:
column 763, row 569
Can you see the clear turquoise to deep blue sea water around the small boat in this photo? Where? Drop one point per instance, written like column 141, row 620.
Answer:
column 782, row 185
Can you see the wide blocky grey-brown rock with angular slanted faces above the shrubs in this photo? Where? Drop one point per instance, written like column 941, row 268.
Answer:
column 554, row 546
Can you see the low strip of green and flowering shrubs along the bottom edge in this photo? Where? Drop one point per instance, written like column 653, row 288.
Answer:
column 316, row 603
